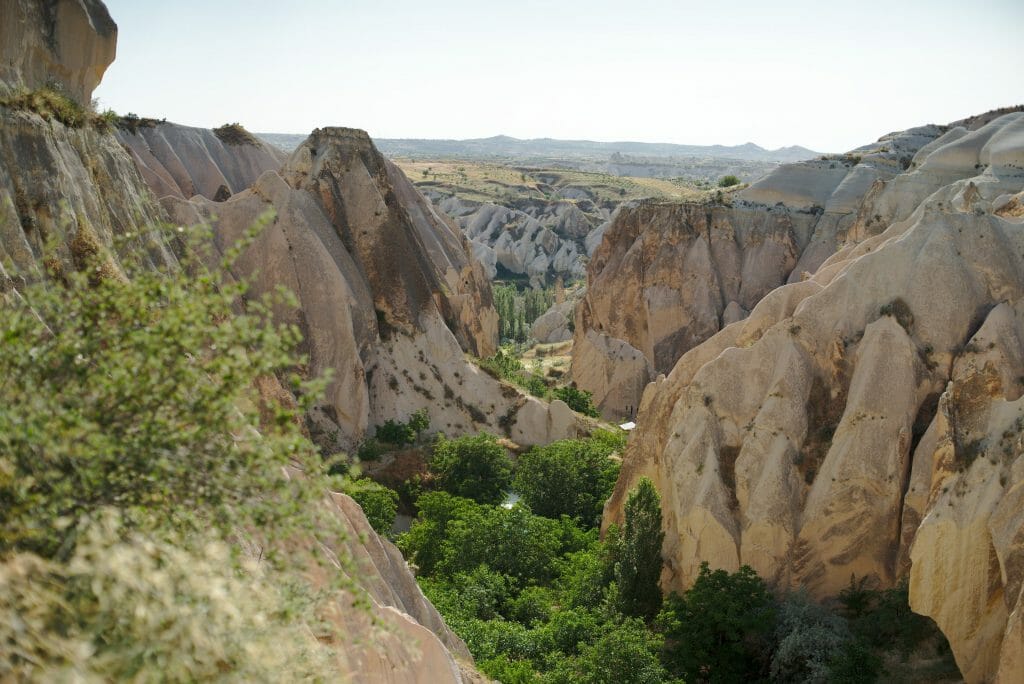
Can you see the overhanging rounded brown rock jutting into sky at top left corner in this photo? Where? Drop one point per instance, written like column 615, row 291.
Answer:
column 70, row 42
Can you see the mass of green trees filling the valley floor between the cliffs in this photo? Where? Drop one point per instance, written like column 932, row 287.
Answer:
column 540, row 598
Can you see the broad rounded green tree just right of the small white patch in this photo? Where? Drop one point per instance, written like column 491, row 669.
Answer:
column 572, row 478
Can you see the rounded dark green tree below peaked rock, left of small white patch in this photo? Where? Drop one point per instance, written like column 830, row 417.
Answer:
column 475, row 466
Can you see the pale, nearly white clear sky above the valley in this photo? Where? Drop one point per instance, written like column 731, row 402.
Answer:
column 830, row 76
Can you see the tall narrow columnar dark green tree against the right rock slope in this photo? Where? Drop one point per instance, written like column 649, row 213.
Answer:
column 639, row 565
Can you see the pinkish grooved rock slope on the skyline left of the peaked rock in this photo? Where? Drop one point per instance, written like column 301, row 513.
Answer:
column 183, row 161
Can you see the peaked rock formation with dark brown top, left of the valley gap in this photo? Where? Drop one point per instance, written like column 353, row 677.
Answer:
column 391, row 297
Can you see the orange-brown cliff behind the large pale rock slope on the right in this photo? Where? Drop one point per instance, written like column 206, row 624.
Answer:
column 666, row 277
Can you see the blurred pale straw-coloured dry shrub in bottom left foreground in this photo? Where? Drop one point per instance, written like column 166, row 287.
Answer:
column 136, row 608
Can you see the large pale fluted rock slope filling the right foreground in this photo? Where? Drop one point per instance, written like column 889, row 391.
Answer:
column 867, row 420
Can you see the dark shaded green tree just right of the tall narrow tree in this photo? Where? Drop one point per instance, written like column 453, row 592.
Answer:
column 718, row 630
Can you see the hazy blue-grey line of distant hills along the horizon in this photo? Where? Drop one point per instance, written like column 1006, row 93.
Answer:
column 506, row 148
